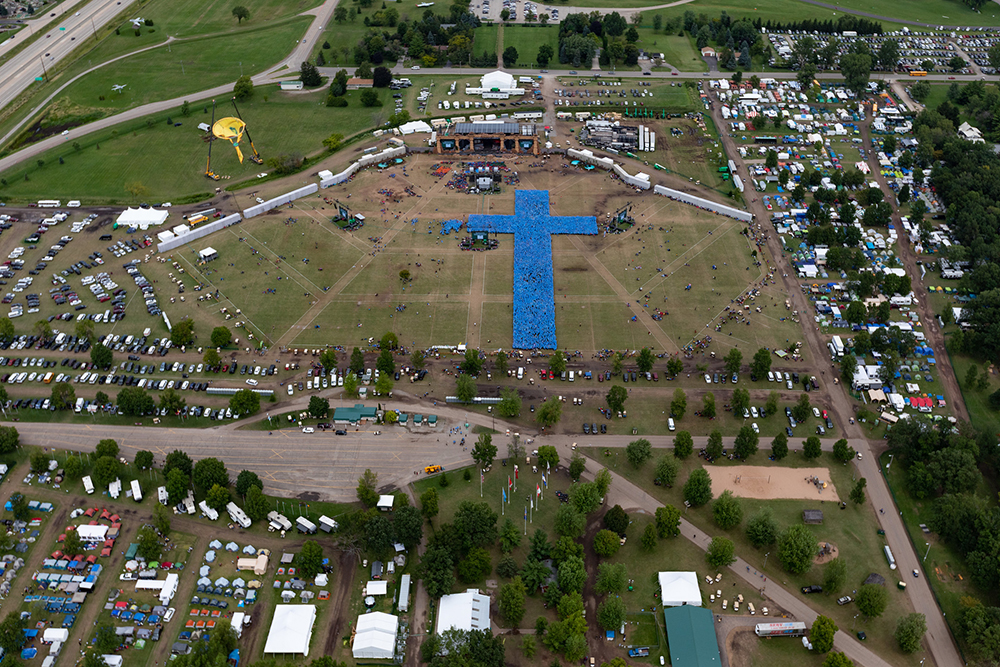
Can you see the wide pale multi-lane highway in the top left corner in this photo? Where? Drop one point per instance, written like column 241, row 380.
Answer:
column 21, row 70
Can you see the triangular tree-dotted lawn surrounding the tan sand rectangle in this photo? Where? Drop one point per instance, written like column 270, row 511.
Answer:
column 853, row 530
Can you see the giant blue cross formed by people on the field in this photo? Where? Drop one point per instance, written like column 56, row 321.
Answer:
column 534, row 294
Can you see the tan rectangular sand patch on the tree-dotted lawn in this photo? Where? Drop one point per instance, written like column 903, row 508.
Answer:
column 767, row 483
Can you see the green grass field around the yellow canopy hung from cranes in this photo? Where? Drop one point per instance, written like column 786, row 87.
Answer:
column 281, row 124
